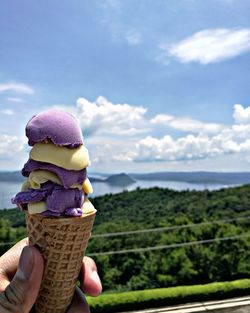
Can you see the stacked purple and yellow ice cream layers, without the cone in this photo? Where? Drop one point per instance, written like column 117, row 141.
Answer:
column 57, row 183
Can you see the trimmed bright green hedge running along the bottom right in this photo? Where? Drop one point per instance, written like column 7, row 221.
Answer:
column 138, row 300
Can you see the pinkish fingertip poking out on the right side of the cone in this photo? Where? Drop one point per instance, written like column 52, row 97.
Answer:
column 90, row 282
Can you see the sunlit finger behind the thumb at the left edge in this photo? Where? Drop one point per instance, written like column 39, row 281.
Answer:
column 9, row 263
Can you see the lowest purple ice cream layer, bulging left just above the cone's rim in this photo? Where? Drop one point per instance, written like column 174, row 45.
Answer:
column 59, row 201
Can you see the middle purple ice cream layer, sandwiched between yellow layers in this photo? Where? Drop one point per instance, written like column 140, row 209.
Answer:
column 67, row 177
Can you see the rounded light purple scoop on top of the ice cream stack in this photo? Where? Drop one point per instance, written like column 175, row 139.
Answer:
column 56, row 125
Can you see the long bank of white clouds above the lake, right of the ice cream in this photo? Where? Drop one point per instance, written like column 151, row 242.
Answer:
column 110, row 130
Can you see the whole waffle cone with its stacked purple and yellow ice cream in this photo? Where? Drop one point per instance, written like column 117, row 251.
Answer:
column 59, row 216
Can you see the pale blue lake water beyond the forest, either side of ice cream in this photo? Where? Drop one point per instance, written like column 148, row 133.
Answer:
column 8, row 189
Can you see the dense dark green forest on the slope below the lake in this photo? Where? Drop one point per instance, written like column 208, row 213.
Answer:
column 155, row 238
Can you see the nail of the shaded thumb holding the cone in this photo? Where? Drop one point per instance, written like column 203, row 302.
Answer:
column 26, row 262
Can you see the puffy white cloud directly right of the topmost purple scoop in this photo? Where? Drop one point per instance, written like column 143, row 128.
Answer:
column 104, row 117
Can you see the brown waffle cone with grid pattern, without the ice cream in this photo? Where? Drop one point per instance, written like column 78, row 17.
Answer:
column 62, row 243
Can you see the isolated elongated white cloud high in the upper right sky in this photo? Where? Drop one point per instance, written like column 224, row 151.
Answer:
column 210, row 46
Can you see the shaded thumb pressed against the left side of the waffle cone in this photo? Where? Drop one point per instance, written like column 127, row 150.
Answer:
column 21, row 293
